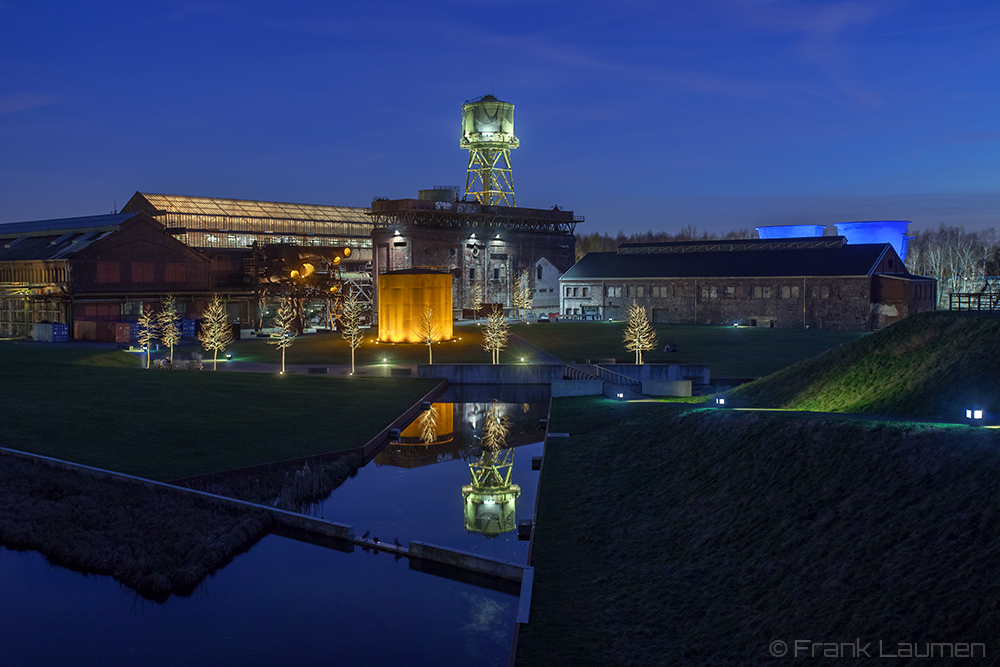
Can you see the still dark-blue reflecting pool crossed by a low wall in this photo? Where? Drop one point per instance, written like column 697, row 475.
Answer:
column 290, row 602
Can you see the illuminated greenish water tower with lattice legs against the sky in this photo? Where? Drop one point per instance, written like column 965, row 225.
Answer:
column 488, row 134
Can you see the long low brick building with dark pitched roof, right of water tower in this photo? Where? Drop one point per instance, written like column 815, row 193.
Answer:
column 820, row 282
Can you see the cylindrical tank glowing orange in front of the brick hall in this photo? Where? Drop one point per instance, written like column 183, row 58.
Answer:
column 402, row 297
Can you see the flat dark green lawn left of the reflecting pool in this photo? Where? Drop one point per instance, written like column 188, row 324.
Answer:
column 99, row 408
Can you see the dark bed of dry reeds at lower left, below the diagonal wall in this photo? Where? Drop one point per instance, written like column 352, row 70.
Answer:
column 157, row 542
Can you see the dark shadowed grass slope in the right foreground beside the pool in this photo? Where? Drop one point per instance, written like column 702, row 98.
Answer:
column 671, row 535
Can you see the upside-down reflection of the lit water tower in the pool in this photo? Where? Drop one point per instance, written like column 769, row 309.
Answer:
column 490, row 498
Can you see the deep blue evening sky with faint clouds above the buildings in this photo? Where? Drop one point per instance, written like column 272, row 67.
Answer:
column 639, row 115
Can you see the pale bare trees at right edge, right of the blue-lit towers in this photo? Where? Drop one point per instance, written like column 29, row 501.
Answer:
column 959, row 260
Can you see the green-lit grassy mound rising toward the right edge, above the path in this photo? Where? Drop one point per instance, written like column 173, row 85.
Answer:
column 927, row 366
